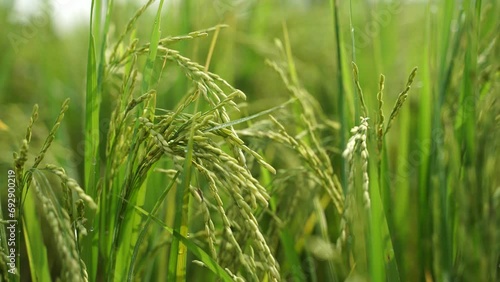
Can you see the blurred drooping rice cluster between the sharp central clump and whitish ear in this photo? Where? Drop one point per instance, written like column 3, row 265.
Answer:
column 307, row 183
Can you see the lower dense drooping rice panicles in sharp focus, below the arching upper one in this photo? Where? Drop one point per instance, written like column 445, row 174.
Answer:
column 224, row 174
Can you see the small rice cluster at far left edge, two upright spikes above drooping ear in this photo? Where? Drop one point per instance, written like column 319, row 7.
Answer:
column 65, row 226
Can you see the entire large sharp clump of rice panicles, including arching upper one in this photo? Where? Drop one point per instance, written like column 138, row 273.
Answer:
column 218, row 155
